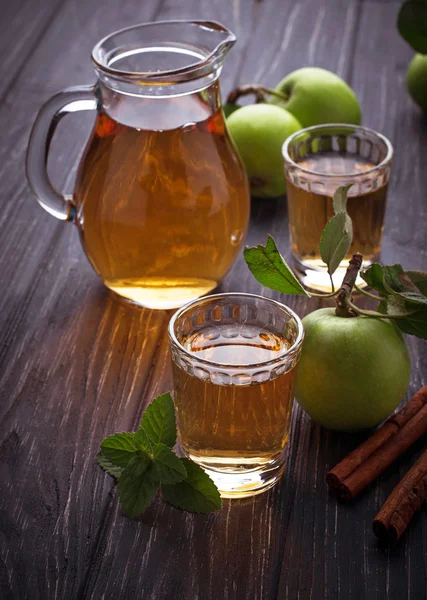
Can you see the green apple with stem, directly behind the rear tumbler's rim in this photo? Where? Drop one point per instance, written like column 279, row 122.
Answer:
column 316, row 96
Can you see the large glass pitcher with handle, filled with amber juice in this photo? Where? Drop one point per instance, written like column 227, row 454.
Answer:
column 161, row 200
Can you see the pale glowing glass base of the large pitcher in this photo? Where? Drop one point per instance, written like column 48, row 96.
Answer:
column 161, row 294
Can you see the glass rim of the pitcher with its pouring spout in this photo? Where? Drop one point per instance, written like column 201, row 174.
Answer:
column 193, row 70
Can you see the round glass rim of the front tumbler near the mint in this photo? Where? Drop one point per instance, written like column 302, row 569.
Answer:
column 193, row 356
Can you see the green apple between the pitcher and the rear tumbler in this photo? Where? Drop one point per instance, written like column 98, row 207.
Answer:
column 258, row 132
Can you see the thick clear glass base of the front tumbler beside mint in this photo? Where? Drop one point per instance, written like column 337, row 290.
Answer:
column 247, row 478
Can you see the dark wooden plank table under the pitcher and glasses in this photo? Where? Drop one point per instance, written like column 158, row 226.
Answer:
column 76, row 365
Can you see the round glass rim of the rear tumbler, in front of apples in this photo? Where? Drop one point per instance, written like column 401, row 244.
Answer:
column 380, row 136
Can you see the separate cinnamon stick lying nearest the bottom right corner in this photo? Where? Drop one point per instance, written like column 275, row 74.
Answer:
column 406, row 498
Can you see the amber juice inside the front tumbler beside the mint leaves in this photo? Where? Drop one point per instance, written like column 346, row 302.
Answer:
column 241, row 423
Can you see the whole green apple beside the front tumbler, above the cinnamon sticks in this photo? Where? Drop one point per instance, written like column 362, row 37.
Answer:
column 353, row 372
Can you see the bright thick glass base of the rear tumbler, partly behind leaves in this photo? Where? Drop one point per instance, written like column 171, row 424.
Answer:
column 314, row 276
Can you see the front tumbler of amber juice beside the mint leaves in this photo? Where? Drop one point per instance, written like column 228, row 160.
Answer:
column 233, row 360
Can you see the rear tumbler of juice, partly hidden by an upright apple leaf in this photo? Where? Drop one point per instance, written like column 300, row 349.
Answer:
column 317, row 161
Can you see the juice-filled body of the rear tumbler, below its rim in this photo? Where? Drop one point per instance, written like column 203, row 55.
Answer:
column 310, row 207
